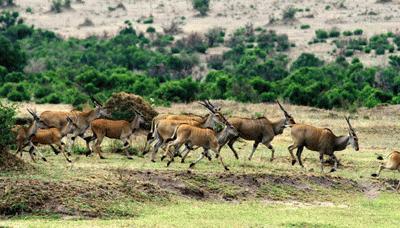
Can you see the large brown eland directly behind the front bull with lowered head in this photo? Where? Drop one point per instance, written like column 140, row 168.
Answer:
column 260, row 130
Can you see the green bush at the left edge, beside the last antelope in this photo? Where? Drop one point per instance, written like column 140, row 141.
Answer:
column 7, row 121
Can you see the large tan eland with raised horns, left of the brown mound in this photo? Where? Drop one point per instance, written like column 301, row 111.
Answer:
column 58, row 119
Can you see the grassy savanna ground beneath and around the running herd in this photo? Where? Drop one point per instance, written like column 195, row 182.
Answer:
column 121, row 192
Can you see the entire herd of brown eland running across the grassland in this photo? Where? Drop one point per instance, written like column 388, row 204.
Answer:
column 171, row 132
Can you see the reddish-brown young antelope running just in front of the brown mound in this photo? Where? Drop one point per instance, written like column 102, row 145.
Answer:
column 115, row 129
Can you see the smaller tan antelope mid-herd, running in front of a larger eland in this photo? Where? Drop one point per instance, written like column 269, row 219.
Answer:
column 206, row 138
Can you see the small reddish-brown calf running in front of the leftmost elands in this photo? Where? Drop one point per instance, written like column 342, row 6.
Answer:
column 52, row 136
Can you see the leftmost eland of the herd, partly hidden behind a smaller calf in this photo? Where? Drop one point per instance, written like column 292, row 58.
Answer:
column 24, row 134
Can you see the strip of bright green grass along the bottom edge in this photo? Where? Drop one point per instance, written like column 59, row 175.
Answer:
column 357, row 212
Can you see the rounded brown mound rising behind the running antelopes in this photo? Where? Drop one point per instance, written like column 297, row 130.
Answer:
column 123, row 106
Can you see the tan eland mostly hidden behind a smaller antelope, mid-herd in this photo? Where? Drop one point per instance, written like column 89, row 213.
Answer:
column 165, row 128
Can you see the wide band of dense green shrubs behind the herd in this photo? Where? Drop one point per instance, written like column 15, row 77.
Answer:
column 38, row 65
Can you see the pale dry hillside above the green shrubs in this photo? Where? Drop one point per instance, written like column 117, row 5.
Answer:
column 370, row 16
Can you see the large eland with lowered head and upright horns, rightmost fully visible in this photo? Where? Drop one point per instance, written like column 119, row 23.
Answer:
column 321, row 140
